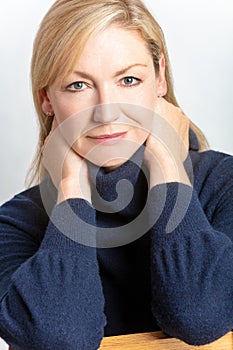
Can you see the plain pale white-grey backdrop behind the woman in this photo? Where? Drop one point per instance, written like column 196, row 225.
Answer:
column 199, row 36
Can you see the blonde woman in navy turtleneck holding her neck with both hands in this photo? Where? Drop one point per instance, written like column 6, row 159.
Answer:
column 121, row 167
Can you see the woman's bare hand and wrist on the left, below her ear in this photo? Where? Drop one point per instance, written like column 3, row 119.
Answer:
column 67, row 169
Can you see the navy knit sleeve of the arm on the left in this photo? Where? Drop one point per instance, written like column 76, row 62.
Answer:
column 51, row 293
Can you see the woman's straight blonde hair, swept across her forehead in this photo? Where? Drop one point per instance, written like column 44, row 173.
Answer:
column 62, row 36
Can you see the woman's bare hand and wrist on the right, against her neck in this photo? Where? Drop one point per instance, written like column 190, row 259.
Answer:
column 167, row 145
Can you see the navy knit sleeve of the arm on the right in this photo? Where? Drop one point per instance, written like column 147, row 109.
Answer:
column 191, row 264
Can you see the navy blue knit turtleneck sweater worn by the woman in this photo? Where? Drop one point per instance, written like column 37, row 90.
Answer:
column 59, row 291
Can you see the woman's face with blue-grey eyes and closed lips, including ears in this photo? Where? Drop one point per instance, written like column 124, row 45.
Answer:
column 106, row 102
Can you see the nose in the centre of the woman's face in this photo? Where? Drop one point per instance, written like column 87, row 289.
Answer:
column 107, row 110
